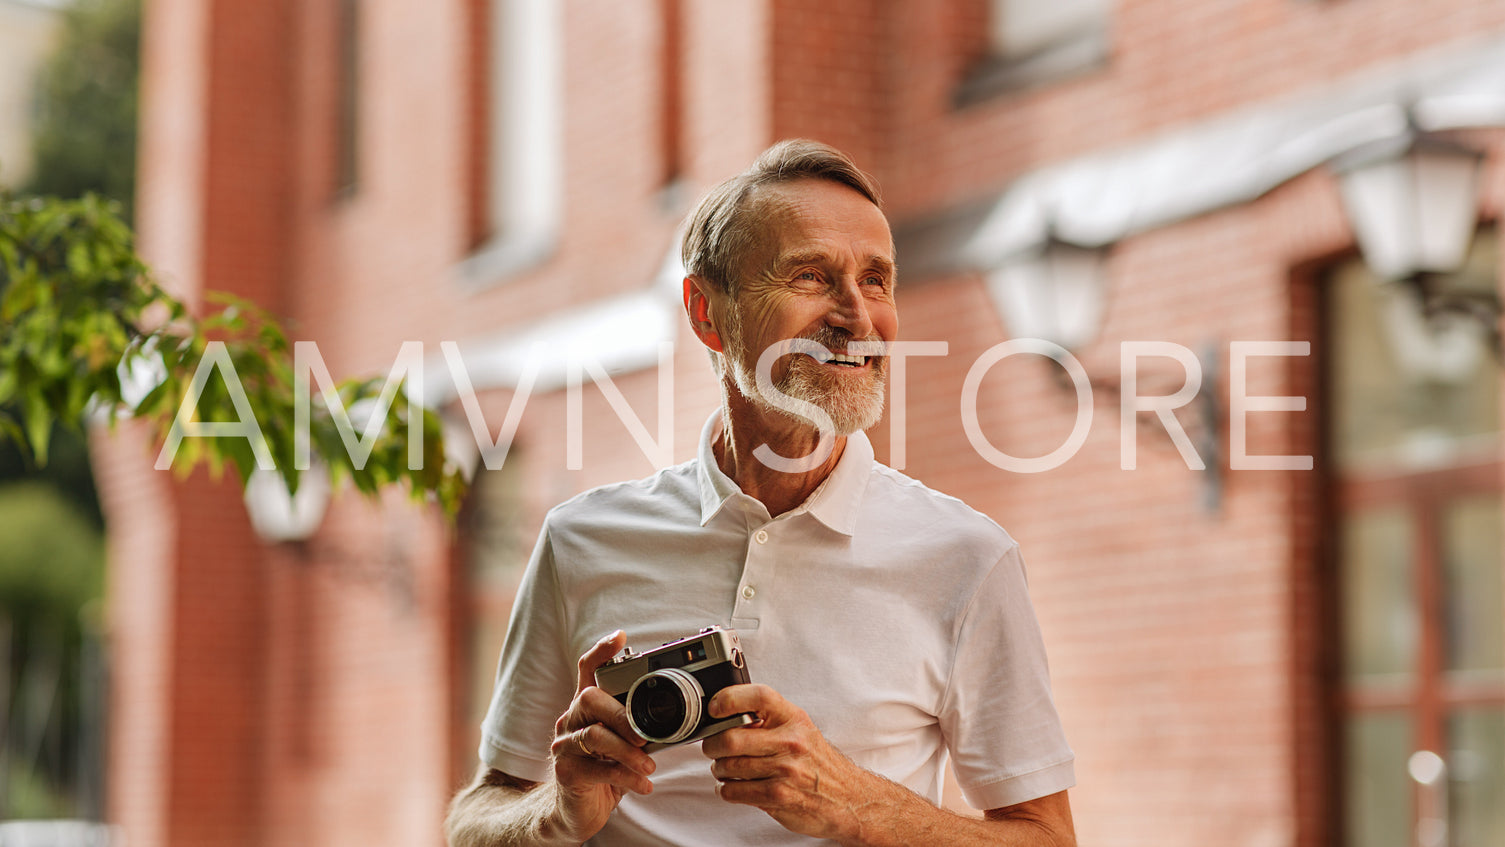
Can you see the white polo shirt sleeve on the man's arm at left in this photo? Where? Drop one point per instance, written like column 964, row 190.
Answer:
column 535, row 678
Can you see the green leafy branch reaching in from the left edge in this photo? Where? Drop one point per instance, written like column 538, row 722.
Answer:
column 81, row 320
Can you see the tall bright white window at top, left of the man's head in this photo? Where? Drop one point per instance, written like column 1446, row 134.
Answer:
column 517, row 114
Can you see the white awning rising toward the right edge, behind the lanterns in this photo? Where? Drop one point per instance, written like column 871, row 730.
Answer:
column 1238, row 157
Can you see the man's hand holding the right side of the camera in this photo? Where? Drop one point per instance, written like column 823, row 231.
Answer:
column 783, row 765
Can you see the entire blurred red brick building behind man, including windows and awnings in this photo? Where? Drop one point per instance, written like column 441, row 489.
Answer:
column 1242, row 657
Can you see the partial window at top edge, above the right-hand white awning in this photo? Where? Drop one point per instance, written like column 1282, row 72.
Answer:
column 1039, row 41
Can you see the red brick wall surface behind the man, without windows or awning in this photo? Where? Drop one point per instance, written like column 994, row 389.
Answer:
column 309, row 694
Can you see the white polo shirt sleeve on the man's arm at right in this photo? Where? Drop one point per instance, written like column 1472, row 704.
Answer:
column 999, row 717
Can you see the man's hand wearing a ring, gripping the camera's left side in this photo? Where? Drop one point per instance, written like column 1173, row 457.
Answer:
column 597, row 754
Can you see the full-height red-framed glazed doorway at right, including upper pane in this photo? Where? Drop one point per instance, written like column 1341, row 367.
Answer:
column 1418, row 566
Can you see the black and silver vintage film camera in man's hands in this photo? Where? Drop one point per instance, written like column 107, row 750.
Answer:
column 667, row 688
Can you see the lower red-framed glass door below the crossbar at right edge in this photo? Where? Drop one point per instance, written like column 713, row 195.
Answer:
column 1423, row 688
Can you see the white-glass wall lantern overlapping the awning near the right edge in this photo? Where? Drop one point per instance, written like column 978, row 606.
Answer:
column 1412, row 202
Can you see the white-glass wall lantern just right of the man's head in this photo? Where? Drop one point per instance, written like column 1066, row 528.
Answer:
column 1054, row 293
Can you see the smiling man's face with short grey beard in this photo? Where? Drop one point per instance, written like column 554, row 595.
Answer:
column 822, row 270
